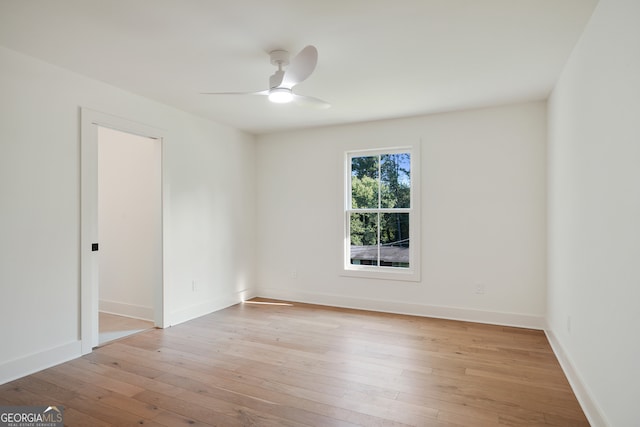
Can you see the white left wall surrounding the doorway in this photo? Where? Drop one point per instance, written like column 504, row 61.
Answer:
column 208, row 209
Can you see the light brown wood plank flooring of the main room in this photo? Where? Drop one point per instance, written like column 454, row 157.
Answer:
column 266, row 363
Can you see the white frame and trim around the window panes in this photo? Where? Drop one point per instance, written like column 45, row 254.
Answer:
column 412, row 273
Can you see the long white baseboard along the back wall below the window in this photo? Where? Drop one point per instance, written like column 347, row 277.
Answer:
column 452, row 313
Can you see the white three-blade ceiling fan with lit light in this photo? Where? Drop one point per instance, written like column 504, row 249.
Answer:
column 281, row 83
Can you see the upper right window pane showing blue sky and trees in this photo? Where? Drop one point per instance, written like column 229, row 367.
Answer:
column 395, row 180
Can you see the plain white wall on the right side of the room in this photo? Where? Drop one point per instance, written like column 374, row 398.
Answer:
column 594, row 215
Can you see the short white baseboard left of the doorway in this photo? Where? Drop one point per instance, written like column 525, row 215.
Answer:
column 27, row 365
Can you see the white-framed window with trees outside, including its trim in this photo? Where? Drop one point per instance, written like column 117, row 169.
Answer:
column 381, row 220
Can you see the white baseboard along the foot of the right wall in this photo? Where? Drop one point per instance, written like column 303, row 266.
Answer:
column 589, row 406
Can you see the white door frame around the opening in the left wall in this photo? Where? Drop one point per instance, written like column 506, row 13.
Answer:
column 89, row 122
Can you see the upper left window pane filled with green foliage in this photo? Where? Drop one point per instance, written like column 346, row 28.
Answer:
column 364, row 182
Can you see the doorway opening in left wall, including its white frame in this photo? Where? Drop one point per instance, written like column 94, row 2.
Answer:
column 121, row 229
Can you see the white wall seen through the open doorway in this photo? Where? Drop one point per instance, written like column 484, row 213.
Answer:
column 129, row 222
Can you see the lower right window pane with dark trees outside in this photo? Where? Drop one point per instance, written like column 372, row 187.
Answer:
column 394, row 239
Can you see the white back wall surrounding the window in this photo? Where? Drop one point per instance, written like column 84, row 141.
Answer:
column 483, row 215
